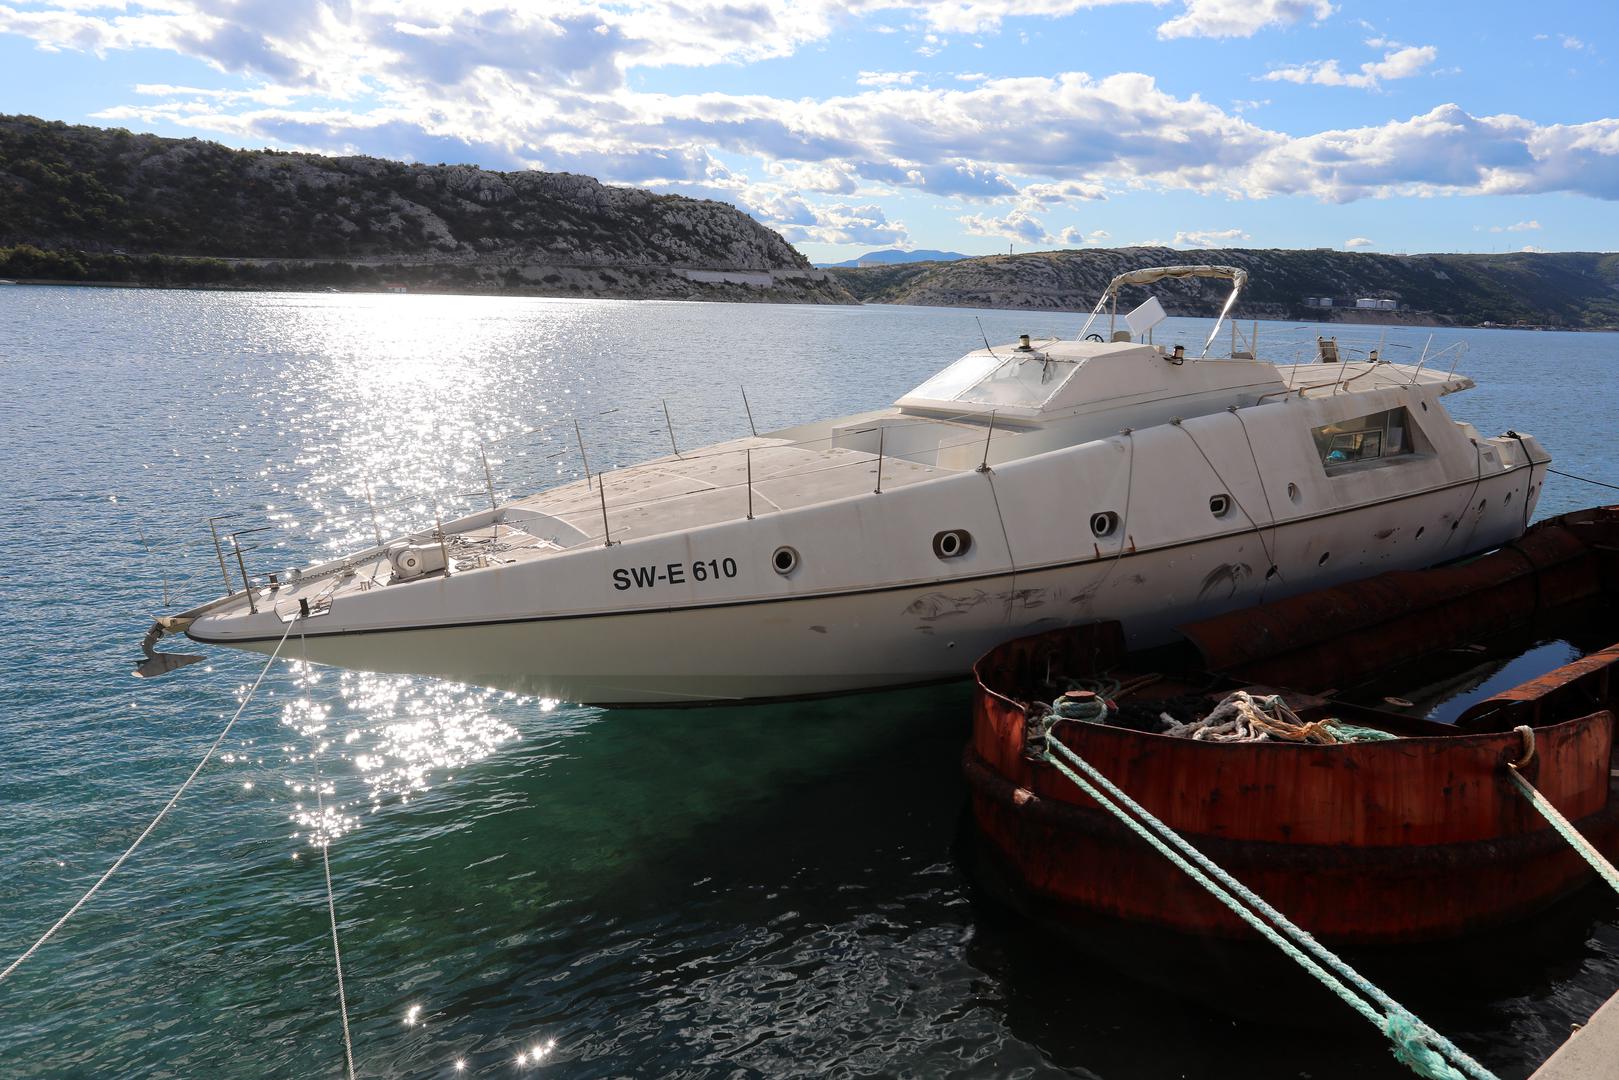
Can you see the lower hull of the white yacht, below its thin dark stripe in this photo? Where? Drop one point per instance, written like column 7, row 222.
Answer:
column 906, row 636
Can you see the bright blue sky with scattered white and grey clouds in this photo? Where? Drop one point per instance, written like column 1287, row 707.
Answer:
column 969, row 125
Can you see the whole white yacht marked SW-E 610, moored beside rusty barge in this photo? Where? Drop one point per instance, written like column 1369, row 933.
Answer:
column 1024, row 487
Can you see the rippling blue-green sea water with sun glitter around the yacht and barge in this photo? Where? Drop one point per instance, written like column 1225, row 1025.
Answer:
column 763, row 891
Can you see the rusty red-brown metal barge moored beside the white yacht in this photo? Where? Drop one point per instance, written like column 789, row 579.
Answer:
column 1409, row 840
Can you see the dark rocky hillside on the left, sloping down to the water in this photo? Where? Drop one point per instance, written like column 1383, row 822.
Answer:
column 106, row 205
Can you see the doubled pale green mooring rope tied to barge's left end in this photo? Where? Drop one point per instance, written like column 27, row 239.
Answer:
column 1419, row 1047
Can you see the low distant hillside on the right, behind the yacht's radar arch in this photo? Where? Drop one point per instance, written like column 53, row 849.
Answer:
column 1578, row 291
